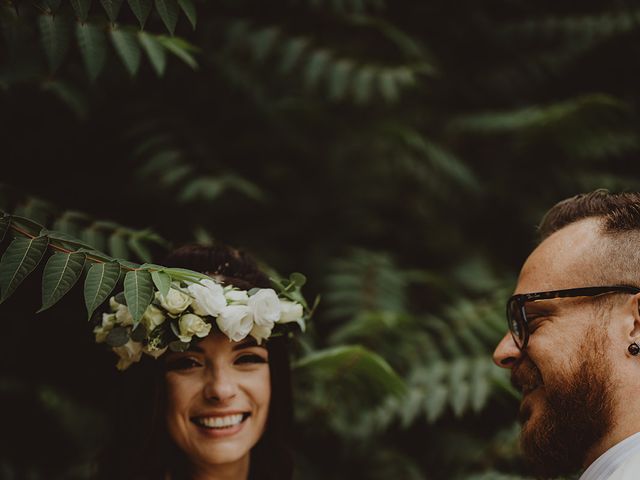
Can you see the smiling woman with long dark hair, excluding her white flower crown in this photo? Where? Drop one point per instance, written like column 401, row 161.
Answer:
column 221, row 409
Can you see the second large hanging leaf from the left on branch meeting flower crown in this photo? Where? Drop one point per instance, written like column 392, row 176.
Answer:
column 60, row 274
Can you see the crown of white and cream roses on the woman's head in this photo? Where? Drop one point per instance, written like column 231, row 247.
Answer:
column 188, row 309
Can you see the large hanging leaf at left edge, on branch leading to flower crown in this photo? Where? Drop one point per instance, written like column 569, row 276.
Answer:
column 18, row 261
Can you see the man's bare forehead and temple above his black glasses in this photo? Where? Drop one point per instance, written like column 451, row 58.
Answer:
column 566, row 259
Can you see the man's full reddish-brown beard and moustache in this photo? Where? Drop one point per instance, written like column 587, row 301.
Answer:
column 574, row 414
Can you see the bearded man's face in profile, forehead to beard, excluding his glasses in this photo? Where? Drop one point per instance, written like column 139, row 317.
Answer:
column 564, row 375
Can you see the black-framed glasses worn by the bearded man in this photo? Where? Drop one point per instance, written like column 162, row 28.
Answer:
column 517, row 313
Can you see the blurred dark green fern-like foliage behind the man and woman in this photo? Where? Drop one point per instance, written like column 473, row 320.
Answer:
column 398, row 153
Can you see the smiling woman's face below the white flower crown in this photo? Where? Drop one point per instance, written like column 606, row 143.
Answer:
column 218, row 396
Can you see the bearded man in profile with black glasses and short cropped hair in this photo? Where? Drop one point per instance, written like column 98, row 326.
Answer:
column 574, row 341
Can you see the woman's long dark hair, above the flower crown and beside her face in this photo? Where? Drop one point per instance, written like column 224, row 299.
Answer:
column 141, row 448
